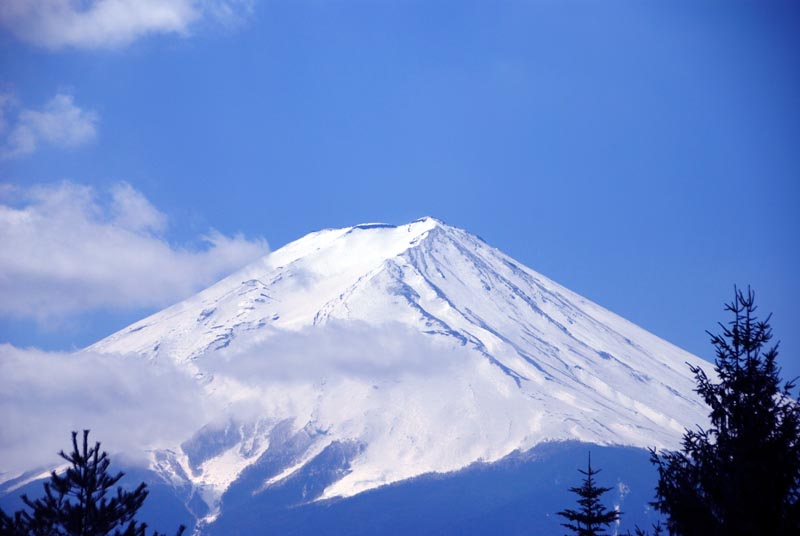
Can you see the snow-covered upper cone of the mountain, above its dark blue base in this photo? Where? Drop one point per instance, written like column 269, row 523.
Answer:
column 359, row 357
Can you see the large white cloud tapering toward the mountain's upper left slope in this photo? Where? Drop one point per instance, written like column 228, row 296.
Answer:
column 67, row 250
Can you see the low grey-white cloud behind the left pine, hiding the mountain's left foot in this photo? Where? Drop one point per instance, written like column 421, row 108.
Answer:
column 129, row 404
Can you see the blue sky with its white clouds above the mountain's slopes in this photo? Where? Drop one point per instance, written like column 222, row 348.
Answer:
column 643, row 154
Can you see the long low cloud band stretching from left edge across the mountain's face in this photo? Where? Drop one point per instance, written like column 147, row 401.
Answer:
column 330, row 374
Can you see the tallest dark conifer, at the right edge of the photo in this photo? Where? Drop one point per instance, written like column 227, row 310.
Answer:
column 741, row 476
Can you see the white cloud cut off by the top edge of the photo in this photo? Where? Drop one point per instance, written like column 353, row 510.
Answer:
column 111, row 23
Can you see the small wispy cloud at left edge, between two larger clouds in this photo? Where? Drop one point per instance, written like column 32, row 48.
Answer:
column 59, row 123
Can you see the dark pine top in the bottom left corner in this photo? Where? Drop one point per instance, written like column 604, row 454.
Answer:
column 80, row 502
